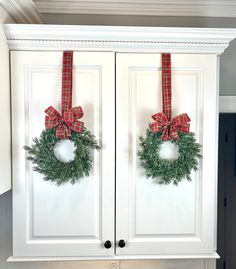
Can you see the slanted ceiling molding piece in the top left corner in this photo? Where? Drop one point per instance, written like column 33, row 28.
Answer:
column 22, row 11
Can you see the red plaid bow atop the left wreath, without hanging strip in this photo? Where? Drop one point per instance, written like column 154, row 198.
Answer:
column 64, row 122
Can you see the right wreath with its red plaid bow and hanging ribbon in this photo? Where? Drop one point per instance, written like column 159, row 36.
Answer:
column 175, row 130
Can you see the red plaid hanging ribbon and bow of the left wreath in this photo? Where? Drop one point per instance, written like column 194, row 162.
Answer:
column 67, row 120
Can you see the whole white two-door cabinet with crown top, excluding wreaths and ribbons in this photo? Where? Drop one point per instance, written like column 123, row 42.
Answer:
column 118, row 92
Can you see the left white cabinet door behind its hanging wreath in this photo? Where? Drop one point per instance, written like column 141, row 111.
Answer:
column 69, row 220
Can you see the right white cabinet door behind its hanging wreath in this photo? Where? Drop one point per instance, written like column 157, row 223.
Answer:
column 155, row 219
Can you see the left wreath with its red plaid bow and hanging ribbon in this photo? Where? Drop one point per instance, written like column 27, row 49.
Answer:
column 63, row 126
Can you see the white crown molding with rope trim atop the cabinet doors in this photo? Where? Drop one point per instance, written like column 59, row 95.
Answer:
column 113, row 38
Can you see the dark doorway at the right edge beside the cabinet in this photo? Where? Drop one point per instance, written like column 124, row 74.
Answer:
column 226, row 233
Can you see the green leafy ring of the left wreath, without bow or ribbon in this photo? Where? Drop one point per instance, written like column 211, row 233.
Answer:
column 42, row 155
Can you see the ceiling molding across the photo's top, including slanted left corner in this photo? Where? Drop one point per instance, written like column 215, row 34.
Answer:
column 38, row 11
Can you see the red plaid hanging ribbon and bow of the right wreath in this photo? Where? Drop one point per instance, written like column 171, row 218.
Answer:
column 163, row 122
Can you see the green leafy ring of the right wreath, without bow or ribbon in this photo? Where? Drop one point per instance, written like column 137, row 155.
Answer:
column 169, row 171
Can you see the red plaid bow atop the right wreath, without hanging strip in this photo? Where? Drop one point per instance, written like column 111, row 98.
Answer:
column 170, row 128
